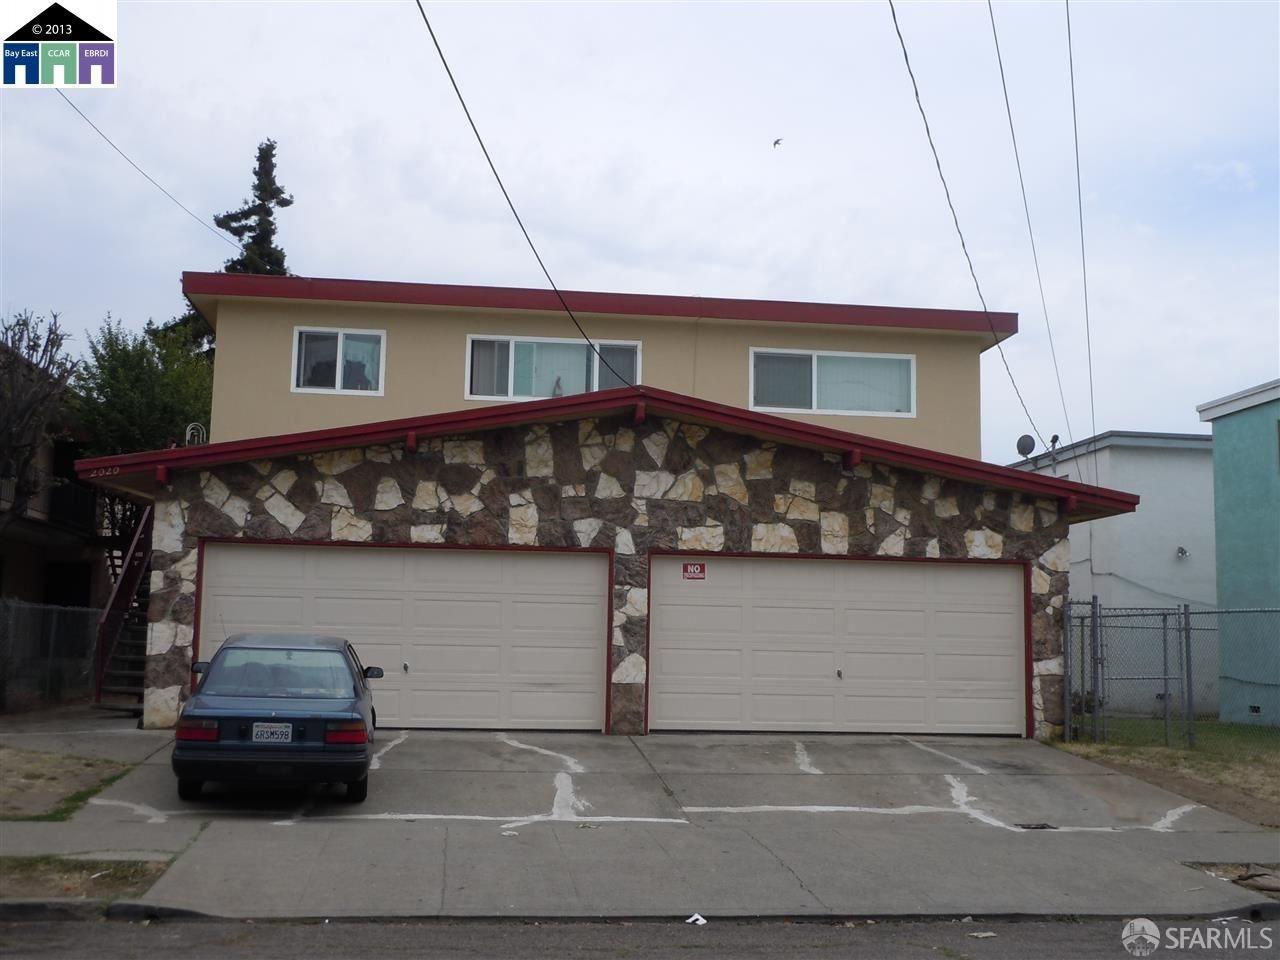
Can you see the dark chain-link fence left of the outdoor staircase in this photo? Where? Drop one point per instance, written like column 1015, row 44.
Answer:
column 47, row 655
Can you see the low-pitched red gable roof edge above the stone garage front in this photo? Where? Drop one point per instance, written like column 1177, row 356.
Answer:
column 139, row 474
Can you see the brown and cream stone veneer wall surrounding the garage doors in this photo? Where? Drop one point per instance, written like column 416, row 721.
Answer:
column 659, row 486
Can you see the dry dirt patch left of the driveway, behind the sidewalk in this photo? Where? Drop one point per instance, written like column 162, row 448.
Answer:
column 51, row 787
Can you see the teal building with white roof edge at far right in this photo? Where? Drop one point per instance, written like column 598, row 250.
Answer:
column 1247, row 525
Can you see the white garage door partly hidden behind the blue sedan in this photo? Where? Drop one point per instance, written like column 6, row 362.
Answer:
column 468, row 638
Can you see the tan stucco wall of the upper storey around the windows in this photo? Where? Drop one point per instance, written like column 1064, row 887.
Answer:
column 427, row 364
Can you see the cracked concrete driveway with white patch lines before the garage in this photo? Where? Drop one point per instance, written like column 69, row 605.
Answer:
column 574, row 825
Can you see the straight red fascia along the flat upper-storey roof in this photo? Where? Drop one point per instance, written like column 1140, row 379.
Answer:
column 442, row 295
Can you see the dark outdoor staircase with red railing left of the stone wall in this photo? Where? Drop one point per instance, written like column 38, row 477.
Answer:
column 122, row 630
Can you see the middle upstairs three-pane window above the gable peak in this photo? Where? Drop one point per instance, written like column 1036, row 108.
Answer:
column 510, row 368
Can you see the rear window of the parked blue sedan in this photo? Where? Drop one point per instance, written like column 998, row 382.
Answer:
column 269, row 673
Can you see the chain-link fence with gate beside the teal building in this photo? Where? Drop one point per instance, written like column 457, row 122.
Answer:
column 1177, row 678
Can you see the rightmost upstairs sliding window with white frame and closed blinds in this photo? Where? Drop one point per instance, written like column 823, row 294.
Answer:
column 851, row 385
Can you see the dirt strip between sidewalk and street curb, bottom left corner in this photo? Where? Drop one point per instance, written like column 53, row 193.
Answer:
column 42, row 877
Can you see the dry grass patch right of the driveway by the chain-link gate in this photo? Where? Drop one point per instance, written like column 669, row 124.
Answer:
column 1241, row 758
